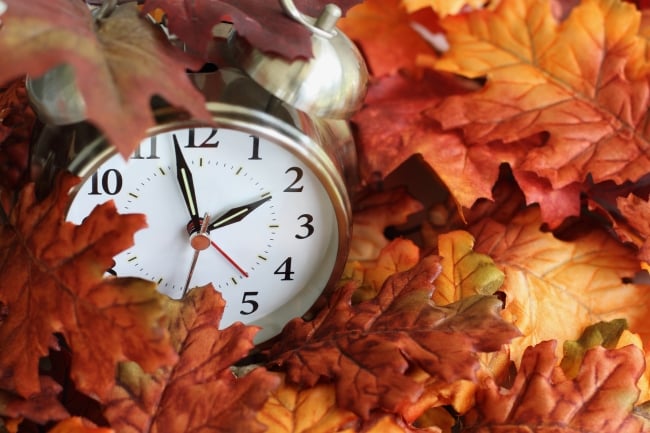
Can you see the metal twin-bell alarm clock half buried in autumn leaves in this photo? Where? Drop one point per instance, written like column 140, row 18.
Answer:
column 256, row 203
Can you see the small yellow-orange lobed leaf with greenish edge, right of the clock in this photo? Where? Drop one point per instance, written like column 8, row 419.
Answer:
column 464, row 271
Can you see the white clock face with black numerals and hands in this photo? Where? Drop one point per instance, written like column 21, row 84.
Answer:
column 270, row 239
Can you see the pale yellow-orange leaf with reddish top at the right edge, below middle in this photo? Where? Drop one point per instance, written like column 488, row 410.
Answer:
column 556, row 288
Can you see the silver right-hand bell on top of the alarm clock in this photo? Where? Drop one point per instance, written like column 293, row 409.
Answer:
column 331, row 84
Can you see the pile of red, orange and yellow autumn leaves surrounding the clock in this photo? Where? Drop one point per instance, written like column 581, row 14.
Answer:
column 497, row 276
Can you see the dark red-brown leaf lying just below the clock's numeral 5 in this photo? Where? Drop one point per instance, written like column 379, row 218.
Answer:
column 367, row 348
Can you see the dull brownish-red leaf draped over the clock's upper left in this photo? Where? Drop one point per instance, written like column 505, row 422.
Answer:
column 116, row 62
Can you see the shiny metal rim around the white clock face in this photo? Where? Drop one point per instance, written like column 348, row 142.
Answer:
column 305, row 143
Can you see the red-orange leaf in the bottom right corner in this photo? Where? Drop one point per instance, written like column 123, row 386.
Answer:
column 599, row 399
